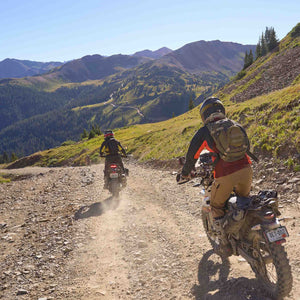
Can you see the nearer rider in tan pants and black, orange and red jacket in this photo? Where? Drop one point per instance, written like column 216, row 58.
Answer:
column 228, row 175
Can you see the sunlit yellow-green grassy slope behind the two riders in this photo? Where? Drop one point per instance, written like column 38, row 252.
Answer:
column 272, row 122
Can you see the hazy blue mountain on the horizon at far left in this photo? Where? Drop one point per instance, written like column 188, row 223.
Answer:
column 14, row 68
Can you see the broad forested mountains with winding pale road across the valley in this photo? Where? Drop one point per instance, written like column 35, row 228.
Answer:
column 43, row 111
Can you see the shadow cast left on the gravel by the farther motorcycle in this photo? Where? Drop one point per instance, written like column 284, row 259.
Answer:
column 97, row 209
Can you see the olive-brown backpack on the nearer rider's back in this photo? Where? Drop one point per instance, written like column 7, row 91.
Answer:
column 230, row 138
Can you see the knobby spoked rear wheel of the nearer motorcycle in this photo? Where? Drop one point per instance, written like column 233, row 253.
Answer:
column 274, row 271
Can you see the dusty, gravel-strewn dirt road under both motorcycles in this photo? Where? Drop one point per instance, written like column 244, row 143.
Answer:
column 152, row 246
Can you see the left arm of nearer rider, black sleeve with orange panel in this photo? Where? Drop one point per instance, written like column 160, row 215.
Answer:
column 198, row 143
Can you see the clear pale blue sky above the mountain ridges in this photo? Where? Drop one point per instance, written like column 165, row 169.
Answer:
column 61, row 30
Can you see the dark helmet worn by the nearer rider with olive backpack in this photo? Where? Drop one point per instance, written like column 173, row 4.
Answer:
column 212, row 109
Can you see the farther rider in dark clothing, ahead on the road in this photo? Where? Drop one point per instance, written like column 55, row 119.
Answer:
column 111, row 148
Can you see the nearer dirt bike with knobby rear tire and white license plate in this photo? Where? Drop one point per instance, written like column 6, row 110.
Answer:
column 253, row 230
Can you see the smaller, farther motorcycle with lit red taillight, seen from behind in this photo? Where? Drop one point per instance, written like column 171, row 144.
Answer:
column 116, row 178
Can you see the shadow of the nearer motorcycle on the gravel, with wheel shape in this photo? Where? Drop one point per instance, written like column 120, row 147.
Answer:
column 214, row 283
